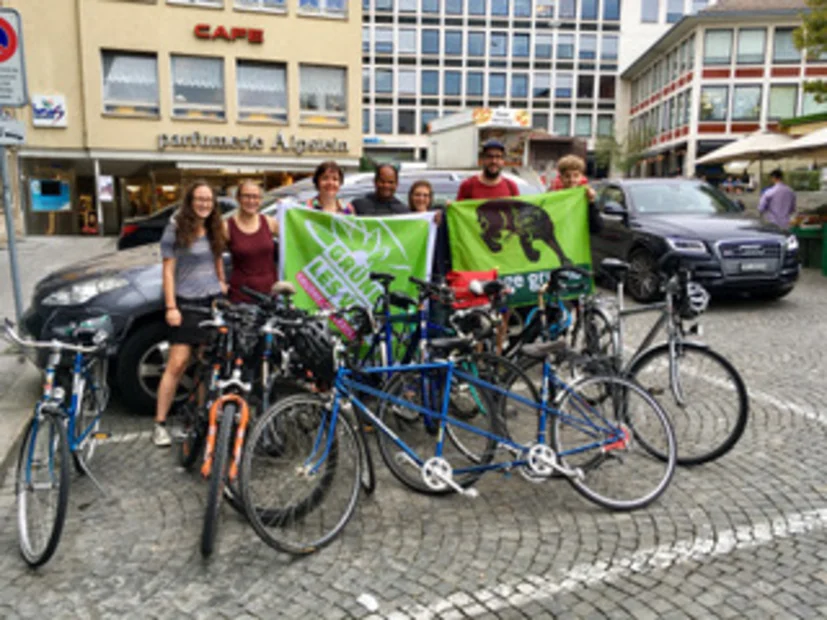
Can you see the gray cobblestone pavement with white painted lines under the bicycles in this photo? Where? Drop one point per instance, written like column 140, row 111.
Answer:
column 742, row 537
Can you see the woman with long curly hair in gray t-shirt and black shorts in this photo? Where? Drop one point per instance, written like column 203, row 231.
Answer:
column 193, row 273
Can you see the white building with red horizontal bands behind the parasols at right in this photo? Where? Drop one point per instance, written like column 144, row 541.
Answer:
column 713, row 78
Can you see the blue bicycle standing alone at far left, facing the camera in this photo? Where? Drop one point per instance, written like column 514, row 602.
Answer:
column 59, row 433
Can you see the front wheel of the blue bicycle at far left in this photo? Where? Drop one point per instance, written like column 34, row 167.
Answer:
column 42, row 488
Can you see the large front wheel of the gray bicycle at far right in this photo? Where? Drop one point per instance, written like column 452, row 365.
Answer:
column 706, row 403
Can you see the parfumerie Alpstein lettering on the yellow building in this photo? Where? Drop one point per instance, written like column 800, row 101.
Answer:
column 281, row 143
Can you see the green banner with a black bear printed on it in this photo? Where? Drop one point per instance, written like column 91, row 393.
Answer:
column 523, row 238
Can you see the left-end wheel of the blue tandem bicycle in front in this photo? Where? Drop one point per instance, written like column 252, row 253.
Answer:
column 296, row 497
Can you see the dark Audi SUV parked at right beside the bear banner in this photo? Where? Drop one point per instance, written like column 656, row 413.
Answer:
column 730, row 252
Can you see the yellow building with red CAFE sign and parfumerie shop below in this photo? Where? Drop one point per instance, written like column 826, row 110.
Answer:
column 132, row 99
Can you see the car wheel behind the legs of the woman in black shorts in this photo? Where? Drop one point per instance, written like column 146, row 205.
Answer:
column 141, row 364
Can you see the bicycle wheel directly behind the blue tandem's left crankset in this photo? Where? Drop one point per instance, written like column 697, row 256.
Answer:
column 464, row 449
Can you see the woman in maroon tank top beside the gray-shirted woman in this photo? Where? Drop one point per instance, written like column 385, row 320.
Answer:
column 250, row 241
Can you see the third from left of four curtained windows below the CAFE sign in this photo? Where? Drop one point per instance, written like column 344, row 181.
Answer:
column 262, row 91
